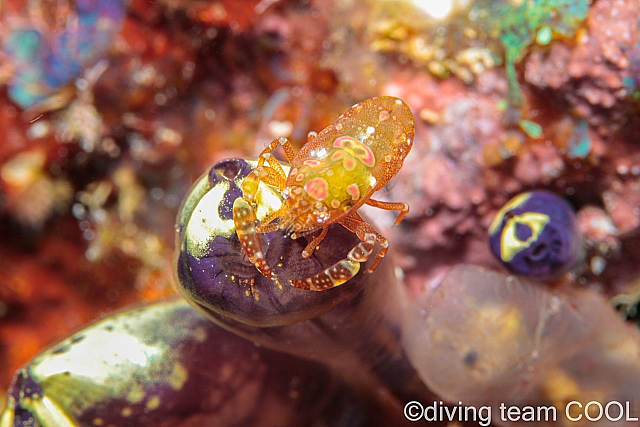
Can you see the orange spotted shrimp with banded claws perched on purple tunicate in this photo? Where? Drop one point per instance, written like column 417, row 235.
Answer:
column 334, row 174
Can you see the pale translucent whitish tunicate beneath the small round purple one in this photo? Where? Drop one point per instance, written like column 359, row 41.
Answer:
column 484, row 338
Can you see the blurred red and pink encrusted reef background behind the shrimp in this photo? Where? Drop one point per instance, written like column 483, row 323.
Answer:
column 109, row 110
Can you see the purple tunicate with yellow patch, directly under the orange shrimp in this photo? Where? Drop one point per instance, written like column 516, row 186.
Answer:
column 354, row 327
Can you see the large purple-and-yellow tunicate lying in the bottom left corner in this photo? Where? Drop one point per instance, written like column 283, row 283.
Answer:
column 166, row 365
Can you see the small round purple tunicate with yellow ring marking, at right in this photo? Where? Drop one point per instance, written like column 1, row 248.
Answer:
column 537, row 234
